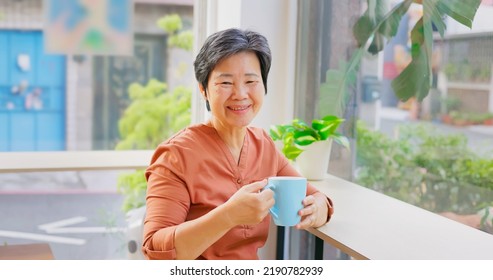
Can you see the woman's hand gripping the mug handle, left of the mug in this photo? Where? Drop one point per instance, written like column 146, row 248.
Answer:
column 250, row 204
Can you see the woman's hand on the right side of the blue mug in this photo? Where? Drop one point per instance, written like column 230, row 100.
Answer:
column 315, row 211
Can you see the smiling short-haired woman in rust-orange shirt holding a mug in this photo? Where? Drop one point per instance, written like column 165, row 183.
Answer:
column 205, row 197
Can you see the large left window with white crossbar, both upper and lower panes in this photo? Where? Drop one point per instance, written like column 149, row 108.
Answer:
column 68, row 108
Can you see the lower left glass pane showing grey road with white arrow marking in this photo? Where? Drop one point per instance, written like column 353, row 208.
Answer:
column 79, row 214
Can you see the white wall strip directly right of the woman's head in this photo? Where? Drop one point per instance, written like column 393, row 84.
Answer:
column 276, row 19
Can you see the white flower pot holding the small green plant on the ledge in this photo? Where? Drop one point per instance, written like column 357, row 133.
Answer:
column 313, row 162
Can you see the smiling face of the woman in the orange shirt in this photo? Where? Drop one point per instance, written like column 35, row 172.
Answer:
column 235, row 90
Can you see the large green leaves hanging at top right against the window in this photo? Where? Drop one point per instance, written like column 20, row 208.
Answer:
column 376, row 26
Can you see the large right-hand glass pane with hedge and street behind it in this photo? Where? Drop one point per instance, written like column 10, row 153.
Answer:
column 437, row 153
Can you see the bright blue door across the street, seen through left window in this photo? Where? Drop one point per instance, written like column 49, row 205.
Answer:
column 32, row 94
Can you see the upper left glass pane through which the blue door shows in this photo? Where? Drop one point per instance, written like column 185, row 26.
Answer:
column 65, row 101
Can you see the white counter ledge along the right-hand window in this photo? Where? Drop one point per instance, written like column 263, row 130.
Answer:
column 370, row 225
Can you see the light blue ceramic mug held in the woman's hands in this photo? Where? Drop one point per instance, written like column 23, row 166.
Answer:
column 289, row 193
